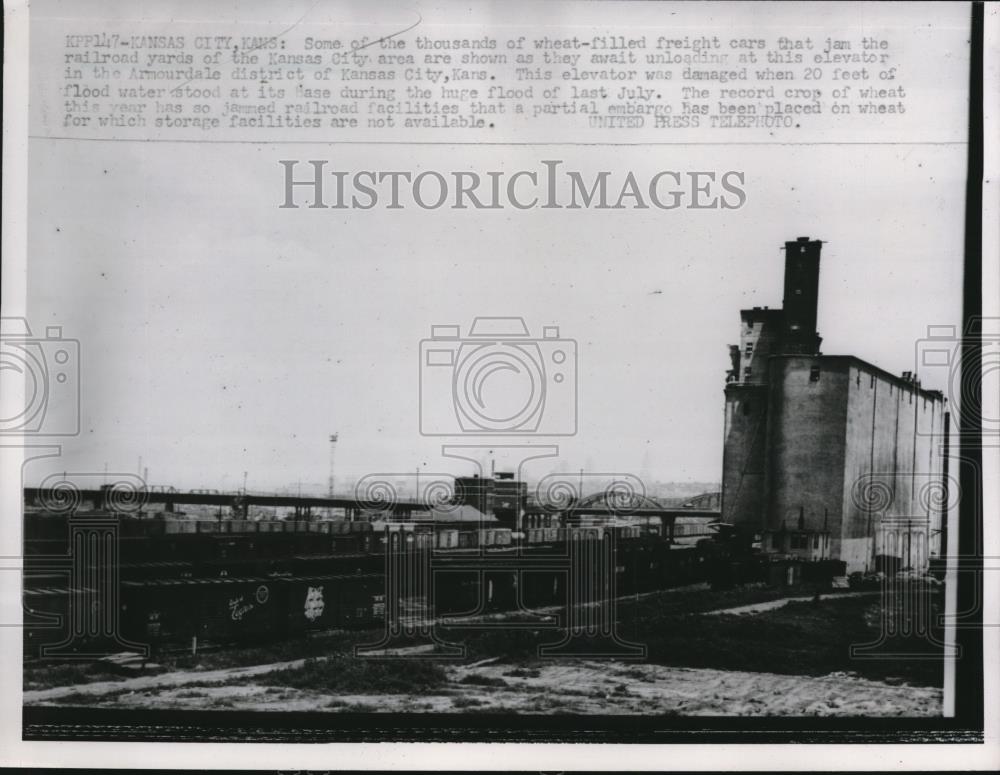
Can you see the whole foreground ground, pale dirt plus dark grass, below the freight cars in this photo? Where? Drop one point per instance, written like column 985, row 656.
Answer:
column 747, row 651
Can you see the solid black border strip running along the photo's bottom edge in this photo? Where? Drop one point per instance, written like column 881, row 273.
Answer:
column 62, row 723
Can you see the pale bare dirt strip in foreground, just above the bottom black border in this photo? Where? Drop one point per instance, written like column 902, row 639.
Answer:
column 559, row 687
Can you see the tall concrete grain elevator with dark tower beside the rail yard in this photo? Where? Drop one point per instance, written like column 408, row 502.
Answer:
column 828, row 456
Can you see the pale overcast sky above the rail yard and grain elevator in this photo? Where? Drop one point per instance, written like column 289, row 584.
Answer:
column 220, row 334
